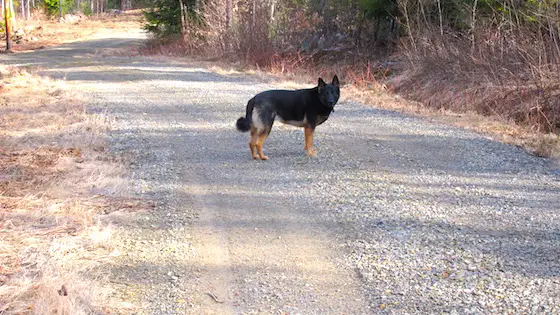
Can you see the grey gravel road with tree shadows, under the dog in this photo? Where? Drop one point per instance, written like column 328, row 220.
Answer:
column 395, row 215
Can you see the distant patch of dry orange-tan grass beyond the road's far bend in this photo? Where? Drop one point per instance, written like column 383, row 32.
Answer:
column 50, row 32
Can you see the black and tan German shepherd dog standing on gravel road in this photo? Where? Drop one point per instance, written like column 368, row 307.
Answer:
column 305, row 108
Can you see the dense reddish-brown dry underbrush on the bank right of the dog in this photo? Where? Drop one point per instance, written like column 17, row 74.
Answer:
column 514, row 78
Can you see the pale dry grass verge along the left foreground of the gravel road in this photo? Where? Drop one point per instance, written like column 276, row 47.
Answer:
column 56, row 179
